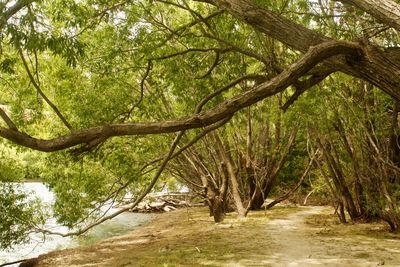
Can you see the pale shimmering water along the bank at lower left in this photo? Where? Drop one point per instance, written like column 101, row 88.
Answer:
column 119, row 225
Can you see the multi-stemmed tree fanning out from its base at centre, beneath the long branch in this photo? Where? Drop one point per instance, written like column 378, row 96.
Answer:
column 237, row 166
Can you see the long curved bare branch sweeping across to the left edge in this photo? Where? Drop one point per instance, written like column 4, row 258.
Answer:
column 225, row 109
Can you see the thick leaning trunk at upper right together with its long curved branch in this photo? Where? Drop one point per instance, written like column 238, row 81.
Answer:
column 359, row 59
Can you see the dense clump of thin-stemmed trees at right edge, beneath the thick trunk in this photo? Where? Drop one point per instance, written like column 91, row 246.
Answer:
column 357, row 136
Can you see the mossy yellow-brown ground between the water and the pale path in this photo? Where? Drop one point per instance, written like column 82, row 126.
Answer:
column 187, row 237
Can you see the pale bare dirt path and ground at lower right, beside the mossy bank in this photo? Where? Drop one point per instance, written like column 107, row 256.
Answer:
column 300, row 244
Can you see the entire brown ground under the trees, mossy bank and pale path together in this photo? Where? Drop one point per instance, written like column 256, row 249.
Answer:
column 282, row 236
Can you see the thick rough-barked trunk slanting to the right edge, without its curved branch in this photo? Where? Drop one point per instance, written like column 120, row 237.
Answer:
column 379, row 68
